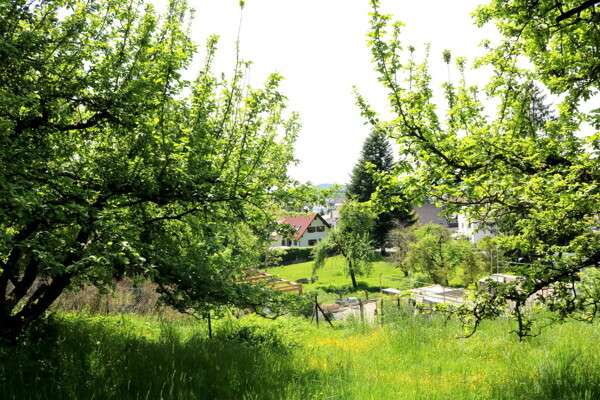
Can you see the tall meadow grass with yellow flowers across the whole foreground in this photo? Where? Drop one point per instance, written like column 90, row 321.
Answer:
column 409, row 356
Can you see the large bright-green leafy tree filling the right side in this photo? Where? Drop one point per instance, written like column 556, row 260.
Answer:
column 535, row 179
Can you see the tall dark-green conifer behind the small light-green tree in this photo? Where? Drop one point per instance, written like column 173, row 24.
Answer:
column 377, row 157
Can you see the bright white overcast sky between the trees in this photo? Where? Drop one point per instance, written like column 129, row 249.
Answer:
column 319, row 46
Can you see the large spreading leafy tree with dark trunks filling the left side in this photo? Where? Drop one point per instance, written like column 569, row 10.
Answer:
column 112, row 164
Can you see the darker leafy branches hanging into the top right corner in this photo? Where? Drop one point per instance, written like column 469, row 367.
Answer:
column 560, row 38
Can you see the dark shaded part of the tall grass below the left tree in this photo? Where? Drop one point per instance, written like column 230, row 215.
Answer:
column 81, row 357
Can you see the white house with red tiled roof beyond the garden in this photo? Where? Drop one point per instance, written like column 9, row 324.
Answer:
column 308, row 230
